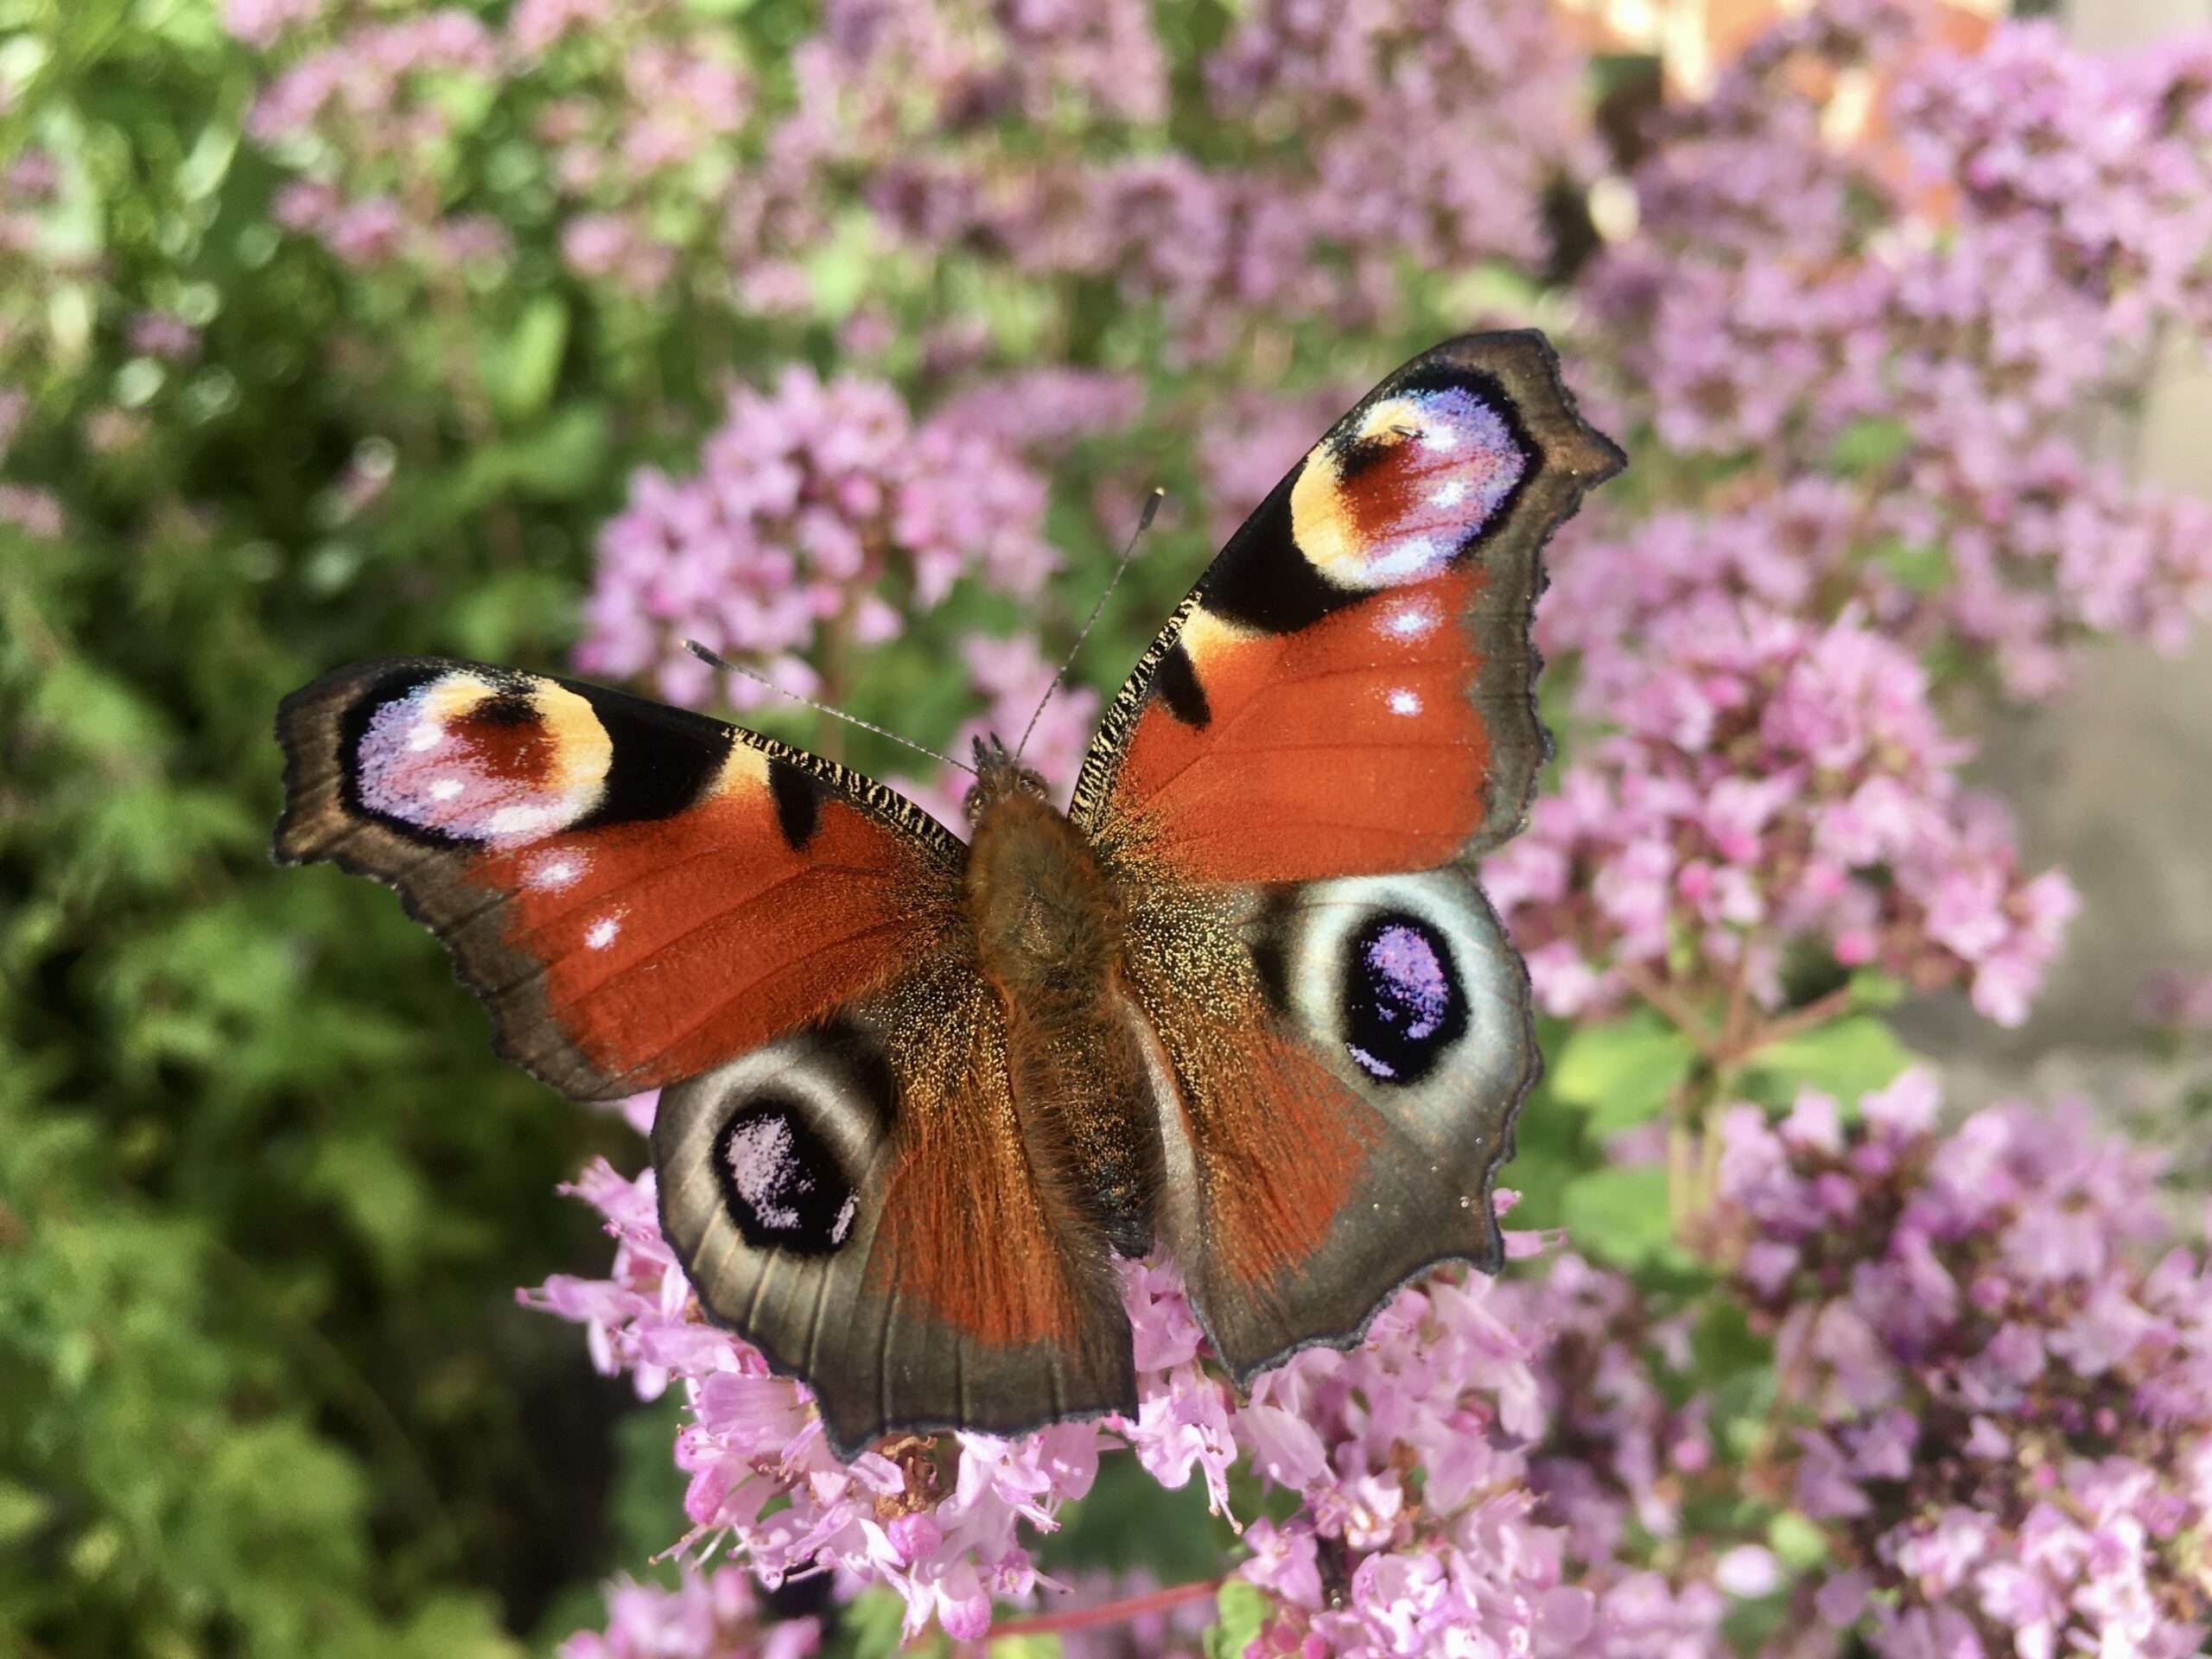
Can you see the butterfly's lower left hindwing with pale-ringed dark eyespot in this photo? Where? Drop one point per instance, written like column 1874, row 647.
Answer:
column 868, row 1209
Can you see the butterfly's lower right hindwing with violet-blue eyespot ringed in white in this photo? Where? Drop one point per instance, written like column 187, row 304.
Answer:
column 1346, row 1085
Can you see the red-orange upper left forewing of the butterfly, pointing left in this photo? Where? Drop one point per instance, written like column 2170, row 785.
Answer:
column 636, row 893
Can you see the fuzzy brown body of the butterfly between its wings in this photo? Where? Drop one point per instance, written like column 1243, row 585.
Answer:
column 1050, row 935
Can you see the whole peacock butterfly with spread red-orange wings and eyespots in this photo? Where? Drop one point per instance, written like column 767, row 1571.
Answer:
column 1242, row 1001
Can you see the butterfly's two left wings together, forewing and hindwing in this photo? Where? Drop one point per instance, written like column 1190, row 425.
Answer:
column 647, row 897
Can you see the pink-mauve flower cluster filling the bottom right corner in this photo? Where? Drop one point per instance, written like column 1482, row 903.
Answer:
column 1996, row 1375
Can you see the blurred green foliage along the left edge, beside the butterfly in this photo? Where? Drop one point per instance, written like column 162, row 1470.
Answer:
column 264, row 1191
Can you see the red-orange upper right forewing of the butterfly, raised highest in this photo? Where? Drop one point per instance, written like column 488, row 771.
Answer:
column 1348, row 689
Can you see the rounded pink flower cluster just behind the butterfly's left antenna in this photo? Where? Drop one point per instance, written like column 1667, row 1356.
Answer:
column 808, row 503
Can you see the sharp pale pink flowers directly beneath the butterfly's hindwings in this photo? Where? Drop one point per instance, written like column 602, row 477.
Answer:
column 1410, row 1457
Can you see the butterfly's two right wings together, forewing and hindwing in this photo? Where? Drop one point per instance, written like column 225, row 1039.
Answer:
column 1291, row 786
